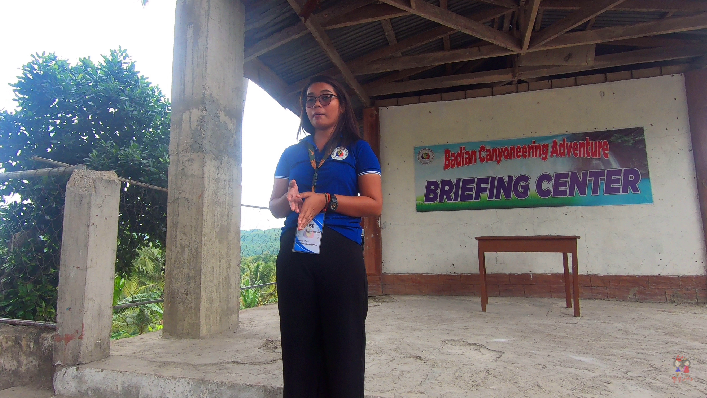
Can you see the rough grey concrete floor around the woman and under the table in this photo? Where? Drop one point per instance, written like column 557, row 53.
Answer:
column 434, row 347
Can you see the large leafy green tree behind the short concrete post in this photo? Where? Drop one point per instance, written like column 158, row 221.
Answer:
column 105, row 115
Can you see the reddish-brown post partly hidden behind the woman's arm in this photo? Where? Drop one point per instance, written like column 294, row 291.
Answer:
column 372, row 246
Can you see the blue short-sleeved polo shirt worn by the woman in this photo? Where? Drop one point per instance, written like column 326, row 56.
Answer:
column 338, row 175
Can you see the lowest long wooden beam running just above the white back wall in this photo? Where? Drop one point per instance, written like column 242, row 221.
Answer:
column 502, row 75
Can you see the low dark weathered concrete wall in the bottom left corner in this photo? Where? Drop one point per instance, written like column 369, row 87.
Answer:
column 25, row 356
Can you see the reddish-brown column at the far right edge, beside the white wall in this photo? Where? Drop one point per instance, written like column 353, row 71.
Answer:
column 696, row 88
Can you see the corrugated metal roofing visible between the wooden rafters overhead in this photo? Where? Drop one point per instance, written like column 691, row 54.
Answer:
column 304, row 57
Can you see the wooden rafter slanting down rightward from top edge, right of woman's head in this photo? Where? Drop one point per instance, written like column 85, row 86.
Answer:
column 456, row 22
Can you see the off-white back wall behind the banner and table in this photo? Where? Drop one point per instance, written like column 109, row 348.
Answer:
column 663, row 238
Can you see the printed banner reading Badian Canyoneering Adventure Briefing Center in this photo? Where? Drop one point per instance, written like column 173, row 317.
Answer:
column 583, row 169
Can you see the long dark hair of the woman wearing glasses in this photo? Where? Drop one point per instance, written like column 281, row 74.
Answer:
column 346, row 131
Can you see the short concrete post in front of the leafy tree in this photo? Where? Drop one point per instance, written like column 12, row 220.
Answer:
column 87, row 268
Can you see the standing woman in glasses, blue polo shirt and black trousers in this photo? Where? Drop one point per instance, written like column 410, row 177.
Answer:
column 332, row 177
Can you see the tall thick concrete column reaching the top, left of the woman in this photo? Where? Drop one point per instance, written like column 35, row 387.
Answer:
column 202, row 274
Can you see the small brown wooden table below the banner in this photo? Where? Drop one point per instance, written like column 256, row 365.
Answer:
column 536, row 244
